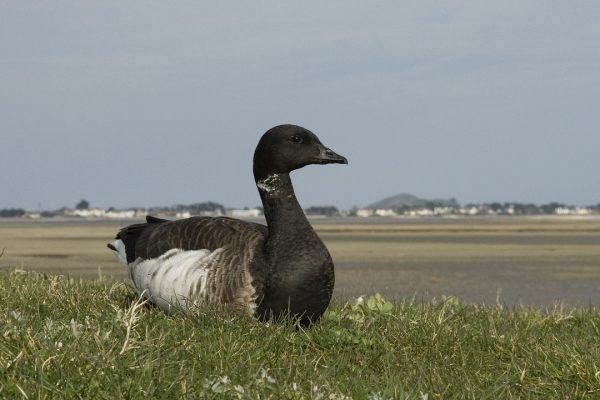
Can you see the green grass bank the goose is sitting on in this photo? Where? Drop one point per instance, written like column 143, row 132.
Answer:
column 65, row 338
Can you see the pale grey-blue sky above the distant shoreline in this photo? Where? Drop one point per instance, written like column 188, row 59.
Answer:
column 153, row 103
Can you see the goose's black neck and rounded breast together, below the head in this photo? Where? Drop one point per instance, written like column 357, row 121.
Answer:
column 301, row 271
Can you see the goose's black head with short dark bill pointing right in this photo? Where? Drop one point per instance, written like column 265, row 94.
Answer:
column 285, row 148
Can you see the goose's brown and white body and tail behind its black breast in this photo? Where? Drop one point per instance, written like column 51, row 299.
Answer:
column 195, row 260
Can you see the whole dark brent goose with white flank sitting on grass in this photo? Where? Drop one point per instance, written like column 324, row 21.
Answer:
column 268, row 271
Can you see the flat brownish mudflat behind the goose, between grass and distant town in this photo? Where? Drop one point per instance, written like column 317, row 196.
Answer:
column 514, row 260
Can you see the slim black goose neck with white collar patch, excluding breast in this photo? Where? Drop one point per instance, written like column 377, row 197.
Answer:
column 282, row 211
